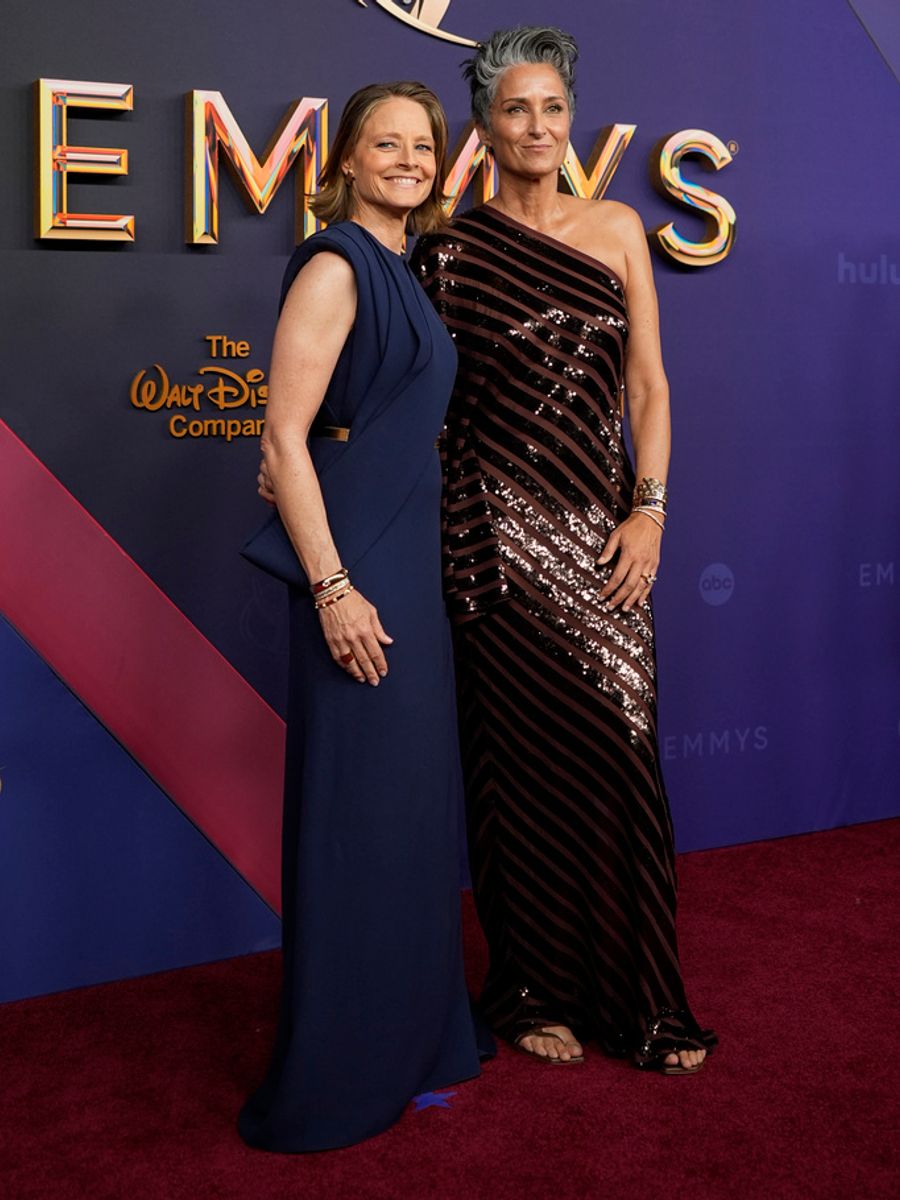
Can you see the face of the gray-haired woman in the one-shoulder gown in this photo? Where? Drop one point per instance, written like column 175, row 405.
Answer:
column 530, row 121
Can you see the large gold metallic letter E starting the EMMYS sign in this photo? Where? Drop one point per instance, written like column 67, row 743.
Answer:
column 55, row 159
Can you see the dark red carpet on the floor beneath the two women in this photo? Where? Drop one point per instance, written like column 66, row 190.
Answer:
column 130, row 1090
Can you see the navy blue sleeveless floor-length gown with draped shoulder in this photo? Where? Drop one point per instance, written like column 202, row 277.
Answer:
column 374, row 1007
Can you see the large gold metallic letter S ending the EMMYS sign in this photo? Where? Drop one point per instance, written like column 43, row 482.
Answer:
column 668, row 178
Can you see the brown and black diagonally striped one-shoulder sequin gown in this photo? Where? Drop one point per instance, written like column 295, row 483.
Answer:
column 571, row 837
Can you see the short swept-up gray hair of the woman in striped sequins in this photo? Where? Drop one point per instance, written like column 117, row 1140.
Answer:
column 518, row 47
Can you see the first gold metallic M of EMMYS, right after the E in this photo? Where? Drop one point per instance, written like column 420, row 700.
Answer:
column 211, row 128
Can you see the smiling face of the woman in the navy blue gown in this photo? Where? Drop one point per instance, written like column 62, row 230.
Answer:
column 393, row 164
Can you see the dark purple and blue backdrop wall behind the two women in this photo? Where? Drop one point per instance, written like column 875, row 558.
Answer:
column 777, row 607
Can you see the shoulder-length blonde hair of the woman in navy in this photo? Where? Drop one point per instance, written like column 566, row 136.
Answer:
column 334, row 199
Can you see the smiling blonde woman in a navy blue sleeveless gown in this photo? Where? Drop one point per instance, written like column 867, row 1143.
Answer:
column 374, row 1007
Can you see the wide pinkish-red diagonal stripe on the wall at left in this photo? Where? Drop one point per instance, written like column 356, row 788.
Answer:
column 151, row 677
